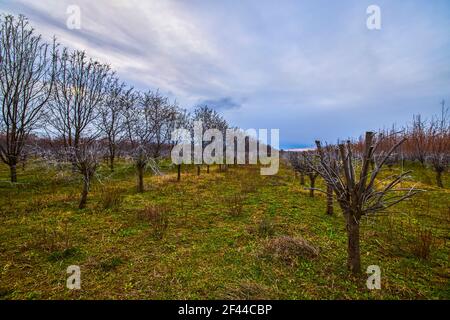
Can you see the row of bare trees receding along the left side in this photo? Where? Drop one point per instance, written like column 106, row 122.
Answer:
column 75, row 109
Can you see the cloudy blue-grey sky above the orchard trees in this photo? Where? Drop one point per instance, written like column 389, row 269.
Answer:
column 309, row 68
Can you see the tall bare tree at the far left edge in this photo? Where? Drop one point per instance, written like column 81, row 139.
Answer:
column 27, row 71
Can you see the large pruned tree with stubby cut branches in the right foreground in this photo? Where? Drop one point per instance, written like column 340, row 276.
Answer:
column 356, row 188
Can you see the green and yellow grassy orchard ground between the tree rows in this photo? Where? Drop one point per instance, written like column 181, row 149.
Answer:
column 214, row 236
